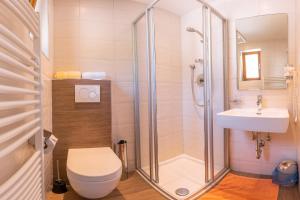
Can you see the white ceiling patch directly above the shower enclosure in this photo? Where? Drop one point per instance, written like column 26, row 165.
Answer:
column 179, row 7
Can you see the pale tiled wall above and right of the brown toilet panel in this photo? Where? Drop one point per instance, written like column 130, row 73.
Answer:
column 93, row 35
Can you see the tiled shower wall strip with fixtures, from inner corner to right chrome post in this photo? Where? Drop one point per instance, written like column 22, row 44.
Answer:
column 192, row 116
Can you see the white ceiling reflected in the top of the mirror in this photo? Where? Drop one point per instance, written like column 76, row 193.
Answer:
column 263, row 28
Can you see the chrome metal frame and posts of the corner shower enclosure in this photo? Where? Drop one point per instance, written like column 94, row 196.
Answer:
column 153, row 177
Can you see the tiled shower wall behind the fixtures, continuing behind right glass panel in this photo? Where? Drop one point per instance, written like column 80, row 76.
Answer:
column 193, row 116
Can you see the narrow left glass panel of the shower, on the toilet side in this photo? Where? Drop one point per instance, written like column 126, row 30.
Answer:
column 143, row 127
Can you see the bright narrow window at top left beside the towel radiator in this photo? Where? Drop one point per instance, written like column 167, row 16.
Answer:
column 42, row 8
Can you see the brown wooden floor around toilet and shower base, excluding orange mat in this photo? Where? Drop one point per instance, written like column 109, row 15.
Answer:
column 135, row 188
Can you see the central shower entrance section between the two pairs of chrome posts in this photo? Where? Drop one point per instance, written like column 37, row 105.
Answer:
column 179, row 116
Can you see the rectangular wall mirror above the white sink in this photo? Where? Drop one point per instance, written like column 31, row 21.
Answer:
column 262, row 52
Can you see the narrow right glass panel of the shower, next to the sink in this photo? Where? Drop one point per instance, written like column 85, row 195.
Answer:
column 218, row 91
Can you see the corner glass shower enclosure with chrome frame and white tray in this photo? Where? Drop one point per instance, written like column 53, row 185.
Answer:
column 180, row 85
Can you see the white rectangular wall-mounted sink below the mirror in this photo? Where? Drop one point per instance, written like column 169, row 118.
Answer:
column 272, row 120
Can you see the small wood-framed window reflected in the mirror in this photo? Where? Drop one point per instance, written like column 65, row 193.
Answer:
column 251, row 65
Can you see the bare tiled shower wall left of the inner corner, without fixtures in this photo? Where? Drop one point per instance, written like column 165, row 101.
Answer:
column 169, row 81
